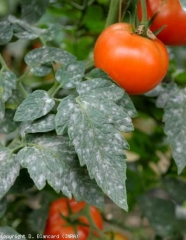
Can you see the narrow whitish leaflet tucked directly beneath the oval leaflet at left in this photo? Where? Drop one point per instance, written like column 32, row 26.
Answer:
column 44, row 124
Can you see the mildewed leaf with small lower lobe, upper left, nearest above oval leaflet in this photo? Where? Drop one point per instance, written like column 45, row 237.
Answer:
column 39, row 58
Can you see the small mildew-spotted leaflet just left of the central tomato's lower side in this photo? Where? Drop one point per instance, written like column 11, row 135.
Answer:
column 70, row 76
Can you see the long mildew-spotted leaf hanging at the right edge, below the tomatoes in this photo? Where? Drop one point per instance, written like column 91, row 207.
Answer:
column 175, row 127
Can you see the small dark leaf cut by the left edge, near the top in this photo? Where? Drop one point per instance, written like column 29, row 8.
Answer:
column 6, row 32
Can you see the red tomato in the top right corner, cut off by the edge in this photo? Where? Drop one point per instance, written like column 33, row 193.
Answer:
column 171, row 14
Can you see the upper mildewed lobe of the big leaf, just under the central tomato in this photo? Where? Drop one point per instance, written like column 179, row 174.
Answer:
column 100, row 88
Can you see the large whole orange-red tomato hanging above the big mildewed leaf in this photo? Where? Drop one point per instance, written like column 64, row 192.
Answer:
column 136, row 63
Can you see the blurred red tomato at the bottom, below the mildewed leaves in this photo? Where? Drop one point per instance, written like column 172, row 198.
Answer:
column 56, row 224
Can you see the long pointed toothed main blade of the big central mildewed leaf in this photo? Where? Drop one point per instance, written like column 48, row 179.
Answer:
column 102, row 150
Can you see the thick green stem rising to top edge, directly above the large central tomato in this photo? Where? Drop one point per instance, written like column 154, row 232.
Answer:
column 113, row 13
